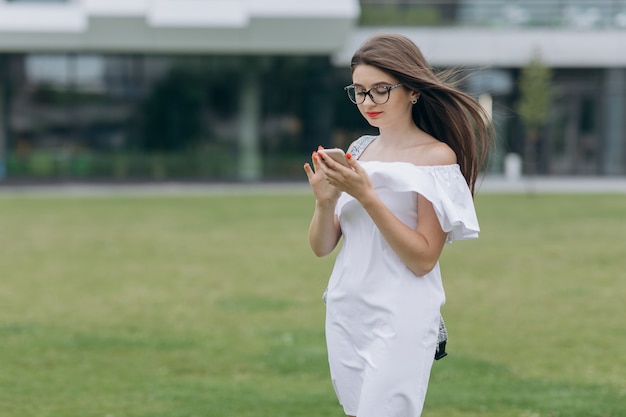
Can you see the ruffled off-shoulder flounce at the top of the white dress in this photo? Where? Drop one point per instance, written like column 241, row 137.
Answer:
column 443, row 185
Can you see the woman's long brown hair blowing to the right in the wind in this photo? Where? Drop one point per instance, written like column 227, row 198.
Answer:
column 442, row 111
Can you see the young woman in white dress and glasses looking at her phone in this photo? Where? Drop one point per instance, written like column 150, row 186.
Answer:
column 409, row 193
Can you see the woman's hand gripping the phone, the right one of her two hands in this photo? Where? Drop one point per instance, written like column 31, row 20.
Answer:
column 351, row 179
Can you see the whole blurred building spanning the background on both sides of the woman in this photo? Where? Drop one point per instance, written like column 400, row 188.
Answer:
column 245, row 89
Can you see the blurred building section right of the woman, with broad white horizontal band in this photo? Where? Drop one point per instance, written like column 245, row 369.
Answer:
column 582, row 41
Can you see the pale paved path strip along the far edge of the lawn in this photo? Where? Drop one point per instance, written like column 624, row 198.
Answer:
column 485, row 185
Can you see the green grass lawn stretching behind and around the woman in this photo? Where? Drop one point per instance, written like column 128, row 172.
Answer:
column 211, row 306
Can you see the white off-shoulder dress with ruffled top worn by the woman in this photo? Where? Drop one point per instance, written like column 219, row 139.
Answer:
column 382, row 320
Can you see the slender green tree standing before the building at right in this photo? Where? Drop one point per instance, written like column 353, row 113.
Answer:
column 533, row 106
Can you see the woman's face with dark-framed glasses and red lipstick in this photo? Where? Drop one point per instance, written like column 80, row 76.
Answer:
column 396, row 111
